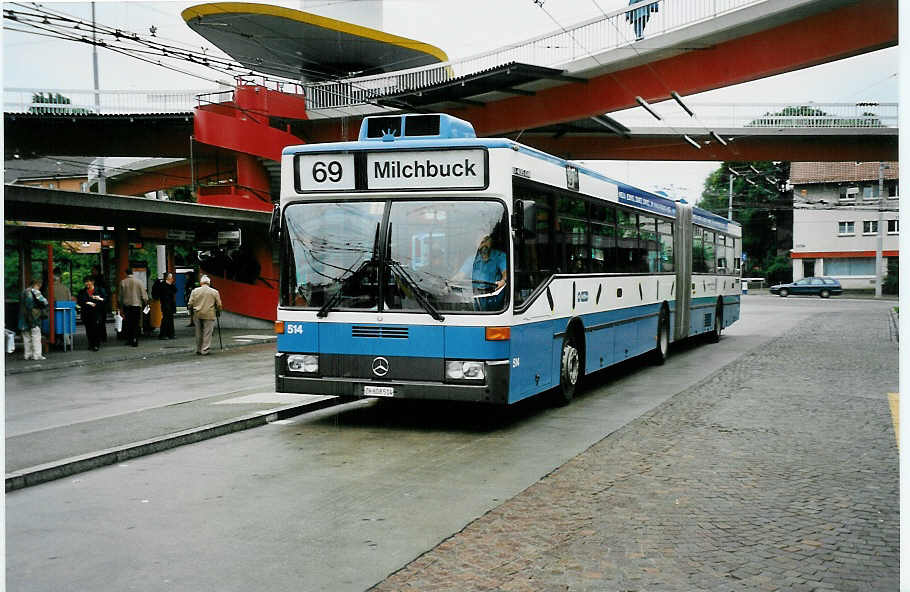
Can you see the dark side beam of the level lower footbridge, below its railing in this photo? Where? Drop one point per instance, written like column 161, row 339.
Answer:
column 168, row 136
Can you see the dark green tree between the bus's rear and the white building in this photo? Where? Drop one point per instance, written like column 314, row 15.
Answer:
column 762, row 204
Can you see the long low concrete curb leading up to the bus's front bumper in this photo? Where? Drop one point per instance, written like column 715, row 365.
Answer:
column 77, row 464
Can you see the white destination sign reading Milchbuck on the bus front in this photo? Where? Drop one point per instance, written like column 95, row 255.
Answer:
column 436, row 169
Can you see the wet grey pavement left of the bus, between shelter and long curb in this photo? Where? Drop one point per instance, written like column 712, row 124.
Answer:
column 52, row 433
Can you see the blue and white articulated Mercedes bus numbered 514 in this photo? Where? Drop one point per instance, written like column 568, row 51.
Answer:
column 423, row 262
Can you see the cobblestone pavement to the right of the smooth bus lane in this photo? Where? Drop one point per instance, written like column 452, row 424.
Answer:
column 779, row 472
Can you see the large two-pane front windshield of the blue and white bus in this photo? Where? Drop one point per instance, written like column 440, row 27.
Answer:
column 431, row 256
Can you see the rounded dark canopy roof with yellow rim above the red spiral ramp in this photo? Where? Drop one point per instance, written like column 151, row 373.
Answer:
column 295, row 44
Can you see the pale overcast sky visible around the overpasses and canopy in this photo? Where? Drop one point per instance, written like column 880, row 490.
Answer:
column 456, row 27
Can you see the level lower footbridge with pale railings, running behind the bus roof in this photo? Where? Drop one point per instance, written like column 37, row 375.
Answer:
column 841, row 132
